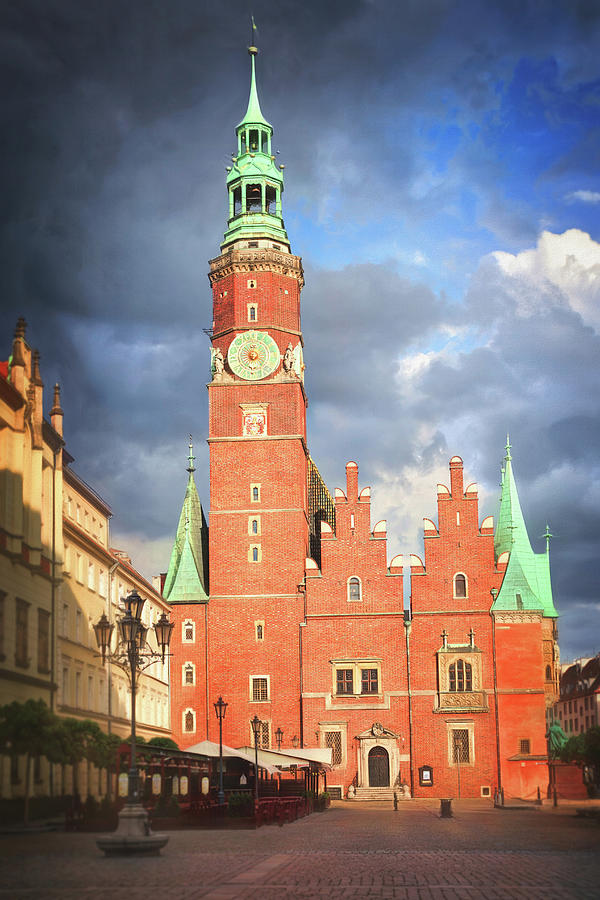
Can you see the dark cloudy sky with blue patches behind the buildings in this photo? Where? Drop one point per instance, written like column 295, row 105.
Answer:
column 442, row 163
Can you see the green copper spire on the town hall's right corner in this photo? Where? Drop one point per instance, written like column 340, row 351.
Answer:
column 526, row 584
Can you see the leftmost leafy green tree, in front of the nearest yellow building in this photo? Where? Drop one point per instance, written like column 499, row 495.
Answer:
column 28, row 729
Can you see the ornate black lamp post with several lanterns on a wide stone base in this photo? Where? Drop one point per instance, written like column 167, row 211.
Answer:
column 133, row 654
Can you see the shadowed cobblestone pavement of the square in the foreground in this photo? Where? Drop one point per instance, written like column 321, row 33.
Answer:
column 354, row 851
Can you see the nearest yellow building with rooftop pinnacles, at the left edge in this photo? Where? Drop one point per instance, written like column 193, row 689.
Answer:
column 30, row 540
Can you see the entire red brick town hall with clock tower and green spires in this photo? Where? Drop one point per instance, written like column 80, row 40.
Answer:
column 296, row 615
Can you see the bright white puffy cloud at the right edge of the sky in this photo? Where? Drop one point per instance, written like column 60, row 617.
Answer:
column 563, row 270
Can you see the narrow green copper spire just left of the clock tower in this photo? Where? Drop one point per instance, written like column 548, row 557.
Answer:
column 187, row 577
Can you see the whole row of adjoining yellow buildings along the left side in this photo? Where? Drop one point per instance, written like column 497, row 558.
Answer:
column 58, row 575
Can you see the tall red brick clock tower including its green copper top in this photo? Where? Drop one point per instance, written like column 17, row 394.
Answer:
column 259, row 533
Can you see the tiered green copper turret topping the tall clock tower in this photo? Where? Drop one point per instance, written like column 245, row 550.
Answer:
column 254, row 183
